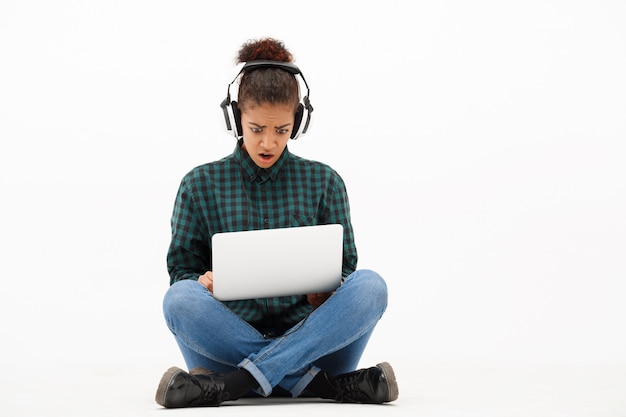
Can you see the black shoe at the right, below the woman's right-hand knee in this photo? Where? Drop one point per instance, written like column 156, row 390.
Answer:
column 375, row 385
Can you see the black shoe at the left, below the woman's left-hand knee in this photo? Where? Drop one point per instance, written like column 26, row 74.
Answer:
column 181, row 389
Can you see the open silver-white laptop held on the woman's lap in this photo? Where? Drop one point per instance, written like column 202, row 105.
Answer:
column 277, row 262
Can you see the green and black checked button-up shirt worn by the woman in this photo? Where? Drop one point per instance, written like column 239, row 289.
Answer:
column 234, row 194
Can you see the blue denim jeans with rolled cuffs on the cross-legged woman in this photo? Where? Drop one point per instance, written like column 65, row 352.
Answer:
column 332, row 338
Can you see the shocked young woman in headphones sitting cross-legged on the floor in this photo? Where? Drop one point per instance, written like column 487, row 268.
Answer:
column 304, row 344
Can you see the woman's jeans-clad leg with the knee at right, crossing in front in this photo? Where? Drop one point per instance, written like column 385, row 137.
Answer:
column 340, row 326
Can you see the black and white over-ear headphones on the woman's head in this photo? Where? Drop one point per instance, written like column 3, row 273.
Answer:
column 232, row 114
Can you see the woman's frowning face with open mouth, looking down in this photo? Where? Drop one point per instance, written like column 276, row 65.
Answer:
column 266, row 130
